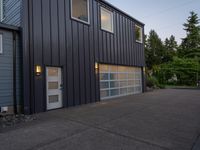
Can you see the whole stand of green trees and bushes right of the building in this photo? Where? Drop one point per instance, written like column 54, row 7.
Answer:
column 162, row 60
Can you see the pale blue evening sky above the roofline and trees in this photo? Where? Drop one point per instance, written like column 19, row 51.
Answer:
column 164, row 16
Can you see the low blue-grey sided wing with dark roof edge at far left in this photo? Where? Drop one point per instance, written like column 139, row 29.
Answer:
column 10, row 68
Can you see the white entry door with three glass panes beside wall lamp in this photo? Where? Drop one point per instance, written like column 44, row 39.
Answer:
column 54, row 87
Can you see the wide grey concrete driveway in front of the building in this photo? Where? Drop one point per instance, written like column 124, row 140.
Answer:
column 160, row 120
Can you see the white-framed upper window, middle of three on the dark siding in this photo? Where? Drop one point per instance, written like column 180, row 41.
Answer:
column 106, row 20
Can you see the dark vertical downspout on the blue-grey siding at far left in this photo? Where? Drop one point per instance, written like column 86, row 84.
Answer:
column 14, row 73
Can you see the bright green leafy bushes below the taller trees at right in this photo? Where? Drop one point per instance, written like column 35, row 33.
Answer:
column 181, row 71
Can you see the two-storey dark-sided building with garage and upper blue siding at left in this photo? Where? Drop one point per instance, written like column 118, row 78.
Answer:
column 76, row 52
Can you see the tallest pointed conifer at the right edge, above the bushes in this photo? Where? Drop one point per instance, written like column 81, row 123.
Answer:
column 190, row 46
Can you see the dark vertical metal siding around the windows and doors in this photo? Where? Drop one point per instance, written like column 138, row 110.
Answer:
column 52, row 38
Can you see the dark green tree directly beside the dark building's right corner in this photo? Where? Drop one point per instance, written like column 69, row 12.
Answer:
column 154, row 50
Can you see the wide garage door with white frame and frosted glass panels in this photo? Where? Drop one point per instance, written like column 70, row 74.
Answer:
column 116, row 81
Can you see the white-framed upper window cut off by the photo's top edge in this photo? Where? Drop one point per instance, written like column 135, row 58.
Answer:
column 80, row 10
